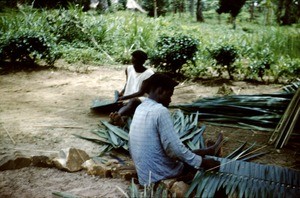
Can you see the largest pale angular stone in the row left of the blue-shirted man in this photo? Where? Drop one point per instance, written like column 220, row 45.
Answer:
column 71, row 159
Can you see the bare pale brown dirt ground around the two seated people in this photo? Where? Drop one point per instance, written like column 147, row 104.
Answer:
column 41, row 110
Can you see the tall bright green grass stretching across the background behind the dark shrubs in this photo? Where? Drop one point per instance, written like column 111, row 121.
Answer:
column 109, row 38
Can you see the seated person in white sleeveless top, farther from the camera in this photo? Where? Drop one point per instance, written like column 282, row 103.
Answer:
column 135, row 75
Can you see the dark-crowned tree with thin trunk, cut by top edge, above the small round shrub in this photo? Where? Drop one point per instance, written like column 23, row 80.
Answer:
column 233, row 7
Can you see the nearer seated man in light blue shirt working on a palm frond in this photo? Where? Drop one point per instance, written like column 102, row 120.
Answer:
column 155, row 147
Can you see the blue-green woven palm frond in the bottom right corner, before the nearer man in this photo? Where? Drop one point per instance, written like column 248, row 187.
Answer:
column 246, row 179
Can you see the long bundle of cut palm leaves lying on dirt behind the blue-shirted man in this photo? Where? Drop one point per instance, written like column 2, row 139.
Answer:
column 260, row 112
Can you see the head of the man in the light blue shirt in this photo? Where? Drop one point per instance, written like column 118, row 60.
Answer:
column 161, row 88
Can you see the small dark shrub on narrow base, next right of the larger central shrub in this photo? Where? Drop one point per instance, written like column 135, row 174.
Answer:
column 225, row 56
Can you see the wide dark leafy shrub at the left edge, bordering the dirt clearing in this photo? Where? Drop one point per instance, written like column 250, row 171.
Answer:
column 27, row 48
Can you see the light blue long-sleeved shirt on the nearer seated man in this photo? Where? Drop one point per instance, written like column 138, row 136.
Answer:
column 155, row 147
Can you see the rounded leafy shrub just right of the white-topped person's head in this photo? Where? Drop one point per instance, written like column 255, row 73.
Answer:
column 172, row 52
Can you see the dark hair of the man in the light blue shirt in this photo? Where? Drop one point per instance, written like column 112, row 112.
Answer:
column 160, row 80
